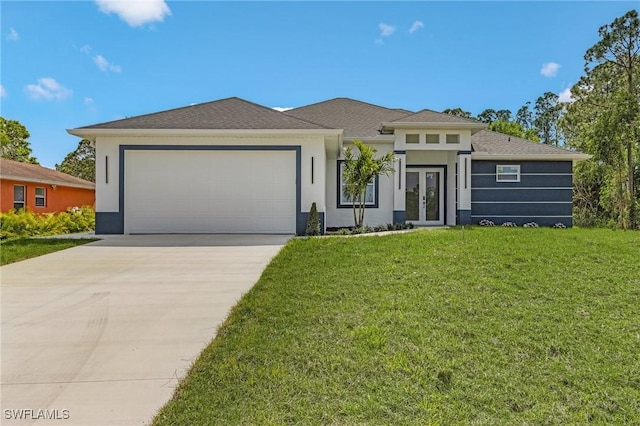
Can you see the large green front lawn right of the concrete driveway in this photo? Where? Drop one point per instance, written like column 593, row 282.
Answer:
column 492, row 327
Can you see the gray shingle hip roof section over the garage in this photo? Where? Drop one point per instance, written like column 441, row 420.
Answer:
column 230, row 113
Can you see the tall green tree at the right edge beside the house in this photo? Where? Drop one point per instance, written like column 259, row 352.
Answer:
column 604, row 119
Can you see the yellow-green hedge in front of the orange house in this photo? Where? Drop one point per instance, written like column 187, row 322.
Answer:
column 25, row 223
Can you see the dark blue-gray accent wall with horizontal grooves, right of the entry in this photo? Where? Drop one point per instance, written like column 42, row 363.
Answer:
column 544, row 194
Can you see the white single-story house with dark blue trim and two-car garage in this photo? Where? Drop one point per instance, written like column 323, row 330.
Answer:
column 232, row 166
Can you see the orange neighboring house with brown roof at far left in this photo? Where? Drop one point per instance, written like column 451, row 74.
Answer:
column 40, row 189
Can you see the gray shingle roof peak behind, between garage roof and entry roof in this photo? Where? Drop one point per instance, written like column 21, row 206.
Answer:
column 357, row 118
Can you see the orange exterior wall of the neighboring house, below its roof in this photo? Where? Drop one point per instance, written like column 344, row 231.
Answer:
column 56, row 200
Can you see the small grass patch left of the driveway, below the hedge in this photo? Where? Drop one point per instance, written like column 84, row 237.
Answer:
column 25, row 248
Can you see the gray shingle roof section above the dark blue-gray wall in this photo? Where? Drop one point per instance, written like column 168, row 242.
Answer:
column 489, row 143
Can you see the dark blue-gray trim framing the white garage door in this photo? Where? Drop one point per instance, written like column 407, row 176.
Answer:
column 300, row 221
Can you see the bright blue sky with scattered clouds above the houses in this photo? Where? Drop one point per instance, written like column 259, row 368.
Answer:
column 75, row 63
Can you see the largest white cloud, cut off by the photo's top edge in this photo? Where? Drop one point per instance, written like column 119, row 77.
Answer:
column 136, row 13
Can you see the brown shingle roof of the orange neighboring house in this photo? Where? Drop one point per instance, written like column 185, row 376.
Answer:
column 15, row 170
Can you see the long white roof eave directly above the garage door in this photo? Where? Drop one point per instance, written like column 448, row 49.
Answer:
column 89, row 133
